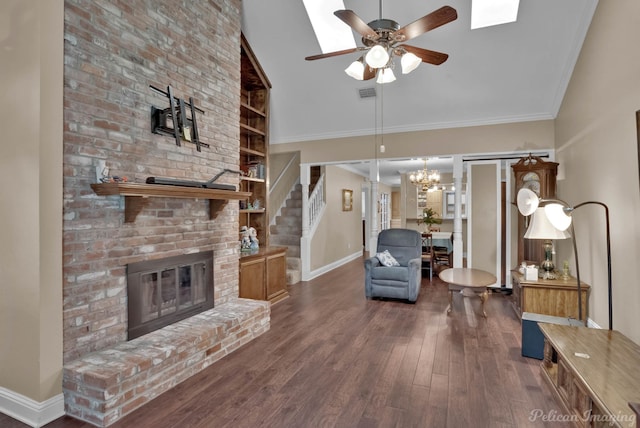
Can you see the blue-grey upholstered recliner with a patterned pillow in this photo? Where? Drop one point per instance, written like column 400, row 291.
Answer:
column 400, row 282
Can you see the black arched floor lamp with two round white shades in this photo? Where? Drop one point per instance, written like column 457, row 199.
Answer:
column 559, row 214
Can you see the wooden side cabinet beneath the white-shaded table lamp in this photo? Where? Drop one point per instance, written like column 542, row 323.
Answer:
column 554, row 297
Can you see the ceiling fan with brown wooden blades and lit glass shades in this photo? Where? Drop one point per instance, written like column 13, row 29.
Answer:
column 384, row 39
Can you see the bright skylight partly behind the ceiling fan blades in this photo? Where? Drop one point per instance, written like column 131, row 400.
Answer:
column 332, row 34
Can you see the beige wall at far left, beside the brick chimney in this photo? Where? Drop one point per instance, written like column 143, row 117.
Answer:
column 31, row 43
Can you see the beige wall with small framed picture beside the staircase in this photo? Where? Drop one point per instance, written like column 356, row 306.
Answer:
column 339, row 233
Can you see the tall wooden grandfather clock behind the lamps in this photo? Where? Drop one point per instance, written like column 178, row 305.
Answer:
column 533, row 173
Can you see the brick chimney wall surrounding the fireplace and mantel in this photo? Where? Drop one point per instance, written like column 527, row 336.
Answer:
column 113, row 51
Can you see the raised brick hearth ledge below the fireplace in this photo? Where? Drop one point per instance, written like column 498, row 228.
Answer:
column 101, row 387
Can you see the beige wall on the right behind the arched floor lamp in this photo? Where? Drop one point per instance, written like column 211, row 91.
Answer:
column 597, row 149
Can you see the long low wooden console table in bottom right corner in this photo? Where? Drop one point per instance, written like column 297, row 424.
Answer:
column 595, row 375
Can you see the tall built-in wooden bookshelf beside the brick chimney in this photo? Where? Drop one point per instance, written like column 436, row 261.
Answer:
column 254, row 144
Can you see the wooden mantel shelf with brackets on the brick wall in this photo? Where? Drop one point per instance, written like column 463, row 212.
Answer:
column 137, row 195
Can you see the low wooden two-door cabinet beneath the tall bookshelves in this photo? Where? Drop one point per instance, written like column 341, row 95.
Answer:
column 263, row 274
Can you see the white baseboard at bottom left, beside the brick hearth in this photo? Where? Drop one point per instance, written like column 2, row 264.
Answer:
column 29, row 411
